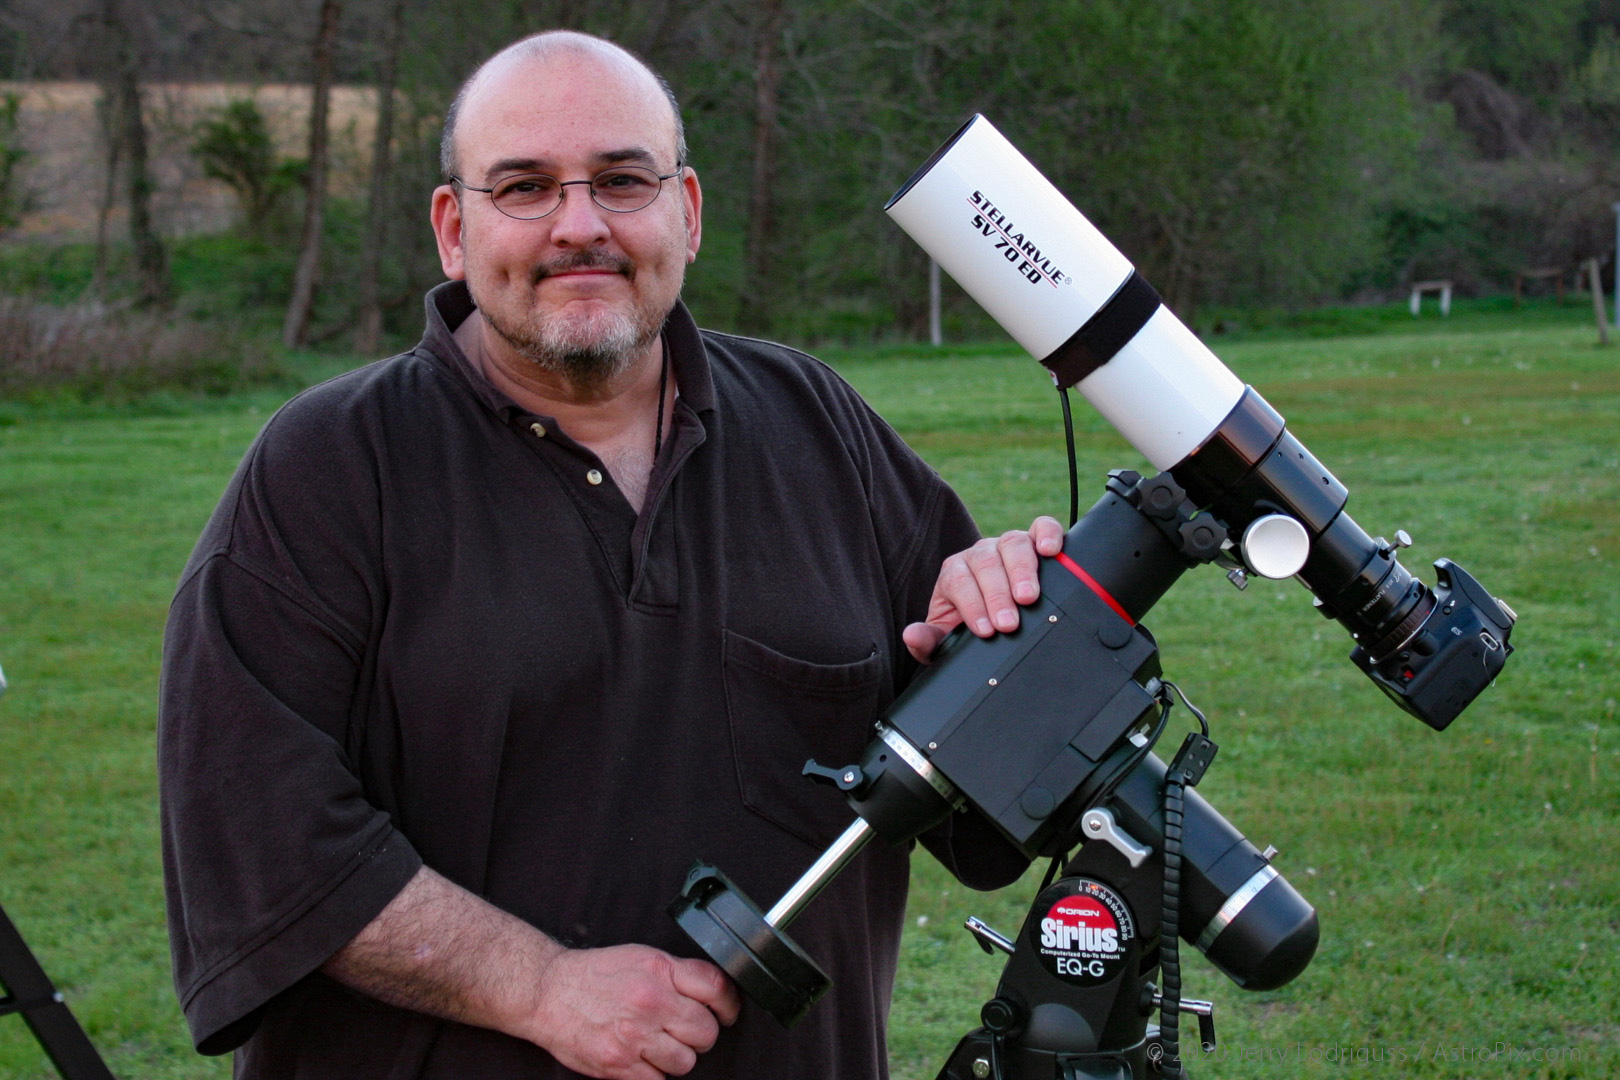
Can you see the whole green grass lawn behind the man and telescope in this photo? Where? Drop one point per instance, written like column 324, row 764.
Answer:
column 1467, row 880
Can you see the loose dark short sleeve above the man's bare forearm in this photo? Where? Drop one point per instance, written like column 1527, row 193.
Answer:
column 273, row 856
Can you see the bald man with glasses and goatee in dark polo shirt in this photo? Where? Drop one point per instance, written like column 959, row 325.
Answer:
column 488, row 642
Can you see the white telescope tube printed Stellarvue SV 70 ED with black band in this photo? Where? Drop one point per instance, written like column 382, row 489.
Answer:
column 1044, row 273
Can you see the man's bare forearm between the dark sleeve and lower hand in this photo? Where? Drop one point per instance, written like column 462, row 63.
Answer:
column 440, row 950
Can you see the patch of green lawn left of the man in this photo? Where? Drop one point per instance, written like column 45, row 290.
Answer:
column 100, row 516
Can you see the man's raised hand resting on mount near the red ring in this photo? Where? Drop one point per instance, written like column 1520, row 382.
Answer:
column 986, row 585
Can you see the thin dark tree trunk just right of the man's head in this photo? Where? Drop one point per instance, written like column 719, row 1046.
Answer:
column 754, row 310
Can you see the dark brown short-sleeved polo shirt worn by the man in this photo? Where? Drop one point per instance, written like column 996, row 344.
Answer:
column 424, row 626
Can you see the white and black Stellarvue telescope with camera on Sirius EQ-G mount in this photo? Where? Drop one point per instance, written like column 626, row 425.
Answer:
column 1049, row 733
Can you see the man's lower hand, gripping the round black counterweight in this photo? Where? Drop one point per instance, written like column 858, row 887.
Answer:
column 631, row 1013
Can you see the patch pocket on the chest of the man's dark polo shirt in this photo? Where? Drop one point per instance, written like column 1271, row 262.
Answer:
column 785, row 712
